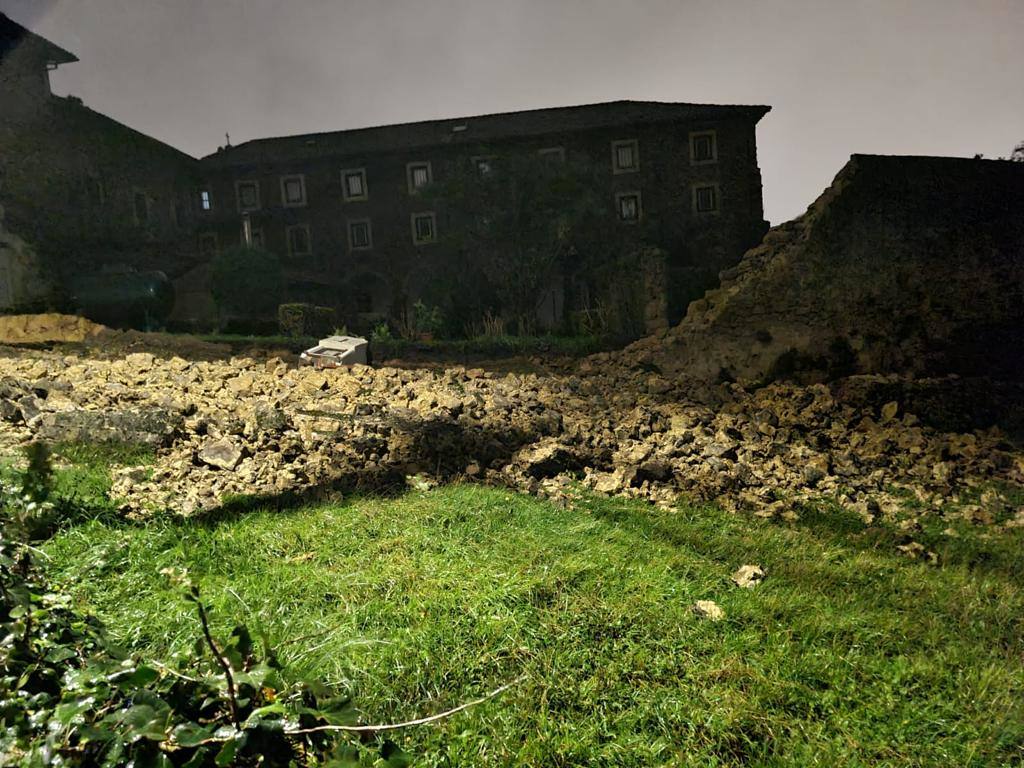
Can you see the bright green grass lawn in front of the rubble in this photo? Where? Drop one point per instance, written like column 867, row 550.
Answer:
column 847, row 655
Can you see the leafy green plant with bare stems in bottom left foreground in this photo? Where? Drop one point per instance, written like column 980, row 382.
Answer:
column 69, row 697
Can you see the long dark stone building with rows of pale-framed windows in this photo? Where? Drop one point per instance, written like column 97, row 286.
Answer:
column 361, row 217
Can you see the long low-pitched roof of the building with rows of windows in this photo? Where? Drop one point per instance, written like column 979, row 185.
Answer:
column 480, row 130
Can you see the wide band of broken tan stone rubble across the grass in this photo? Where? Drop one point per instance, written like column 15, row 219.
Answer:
column 224, row 429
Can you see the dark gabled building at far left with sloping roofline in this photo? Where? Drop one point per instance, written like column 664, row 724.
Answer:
column 86, row 192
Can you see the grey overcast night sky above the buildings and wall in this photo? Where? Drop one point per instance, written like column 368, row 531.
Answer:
column 924, row 77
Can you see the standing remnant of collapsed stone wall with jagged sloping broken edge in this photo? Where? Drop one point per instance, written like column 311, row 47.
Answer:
column 904, row 265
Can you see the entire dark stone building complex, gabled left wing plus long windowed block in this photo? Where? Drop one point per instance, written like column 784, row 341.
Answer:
column 363, row 220
